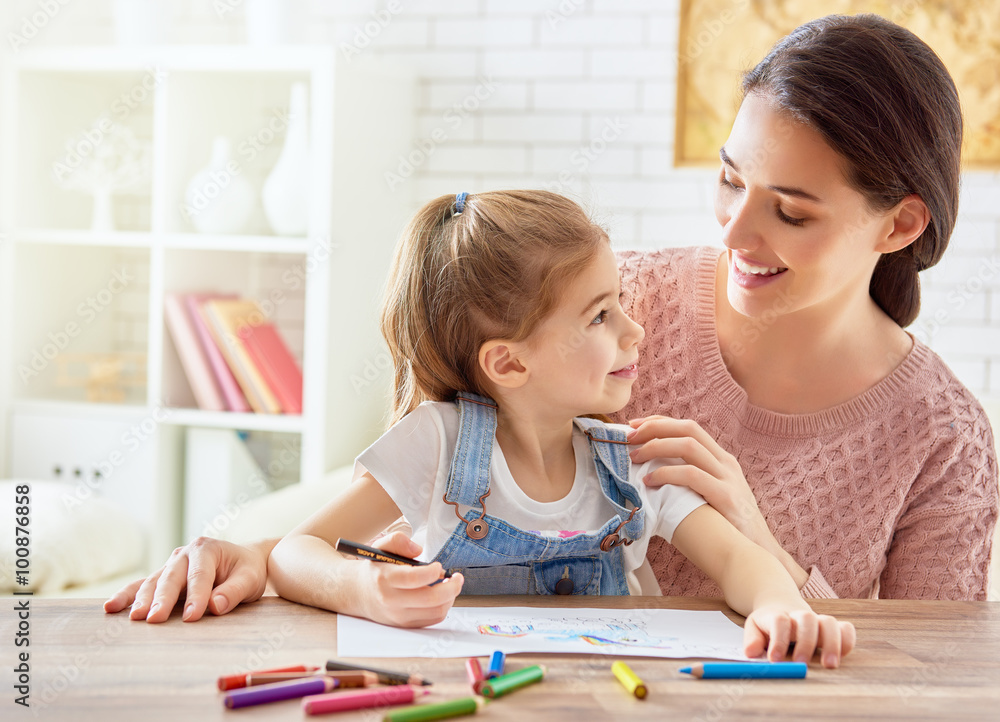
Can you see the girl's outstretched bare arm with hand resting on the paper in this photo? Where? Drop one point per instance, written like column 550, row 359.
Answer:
column 757, row 586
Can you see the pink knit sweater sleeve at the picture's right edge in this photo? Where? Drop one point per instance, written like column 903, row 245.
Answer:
column 941, row 544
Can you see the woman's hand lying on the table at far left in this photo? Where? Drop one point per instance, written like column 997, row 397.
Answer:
column 218, row 575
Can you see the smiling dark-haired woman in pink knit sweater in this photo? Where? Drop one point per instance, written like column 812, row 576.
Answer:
column 869, row 469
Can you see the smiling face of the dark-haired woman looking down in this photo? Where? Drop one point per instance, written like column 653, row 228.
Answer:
column 799, row 237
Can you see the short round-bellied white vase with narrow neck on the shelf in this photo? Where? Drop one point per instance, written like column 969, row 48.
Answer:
column 219, row 199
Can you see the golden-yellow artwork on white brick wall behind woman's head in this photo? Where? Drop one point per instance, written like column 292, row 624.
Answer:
column 722, row 39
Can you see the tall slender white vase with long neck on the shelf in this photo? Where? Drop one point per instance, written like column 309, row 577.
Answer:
column 285, row 196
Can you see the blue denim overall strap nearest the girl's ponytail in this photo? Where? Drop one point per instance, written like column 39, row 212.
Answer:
column 469, row 478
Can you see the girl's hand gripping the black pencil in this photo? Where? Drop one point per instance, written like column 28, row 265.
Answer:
column 401, row 595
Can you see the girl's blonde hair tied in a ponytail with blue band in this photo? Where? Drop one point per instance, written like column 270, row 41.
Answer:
column 493, row 271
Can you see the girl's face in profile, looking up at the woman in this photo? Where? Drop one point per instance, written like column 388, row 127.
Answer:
column 582, row 357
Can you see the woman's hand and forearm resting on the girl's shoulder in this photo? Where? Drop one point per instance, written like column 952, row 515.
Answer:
column 708, row 470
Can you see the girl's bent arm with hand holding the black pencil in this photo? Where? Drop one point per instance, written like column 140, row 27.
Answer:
column 304, row 566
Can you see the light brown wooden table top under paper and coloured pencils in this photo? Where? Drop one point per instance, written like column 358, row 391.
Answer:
column 915, row 660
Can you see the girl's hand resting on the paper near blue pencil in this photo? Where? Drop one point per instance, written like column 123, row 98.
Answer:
column 772, row 628
